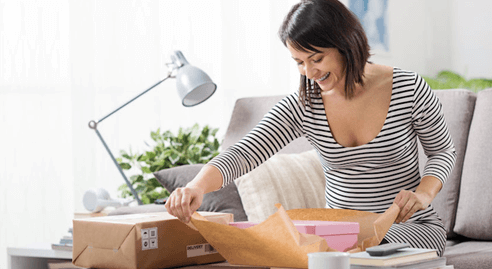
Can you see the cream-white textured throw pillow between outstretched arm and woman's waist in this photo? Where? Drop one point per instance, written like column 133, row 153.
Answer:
column 293, row 180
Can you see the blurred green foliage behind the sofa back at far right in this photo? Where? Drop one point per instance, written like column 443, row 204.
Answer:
column 450, row 80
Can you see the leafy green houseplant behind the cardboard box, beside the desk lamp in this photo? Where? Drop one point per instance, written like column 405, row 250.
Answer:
column 190, row 146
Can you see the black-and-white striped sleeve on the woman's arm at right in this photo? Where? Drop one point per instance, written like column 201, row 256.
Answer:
column 430, row 125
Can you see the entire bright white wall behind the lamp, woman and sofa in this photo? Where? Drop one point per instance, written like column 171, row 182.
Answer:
column 63, row 64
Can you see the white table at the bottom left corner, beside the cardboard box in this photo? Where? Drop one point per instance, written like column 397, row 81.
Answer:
column 34, row 256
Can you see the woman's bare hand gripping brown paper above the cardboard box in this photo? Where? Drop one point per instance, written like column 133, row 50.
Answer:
column 184, row 201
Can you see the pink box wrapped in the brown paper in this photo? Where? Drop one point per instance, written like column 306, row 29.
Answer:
column 341, row 236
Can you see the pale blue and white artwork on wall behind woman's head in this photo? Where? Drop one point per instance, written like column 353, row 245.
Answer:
column 372, row 14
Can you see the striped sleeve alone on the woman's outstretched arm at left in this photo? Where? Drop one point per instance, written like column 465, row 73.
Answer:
column 281, row 125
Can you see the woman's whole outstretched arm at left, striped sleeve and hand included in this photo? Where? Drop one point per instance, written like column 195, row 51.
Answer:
column 279, row 126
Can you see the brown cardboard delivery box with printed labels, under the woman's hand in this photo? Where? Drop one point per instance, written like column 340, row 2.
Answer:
column 150, row 240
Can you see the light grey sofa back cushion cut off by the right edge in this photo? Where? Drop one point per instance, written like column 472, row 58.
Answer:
column 474, row 214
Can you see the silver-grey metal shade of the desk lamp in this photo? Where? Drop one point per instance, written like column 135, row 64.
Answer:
column 194, row 86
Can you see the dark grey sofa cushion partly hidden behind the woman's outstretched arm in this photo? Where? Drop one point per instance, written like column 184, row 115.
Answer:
column 225, row 200
